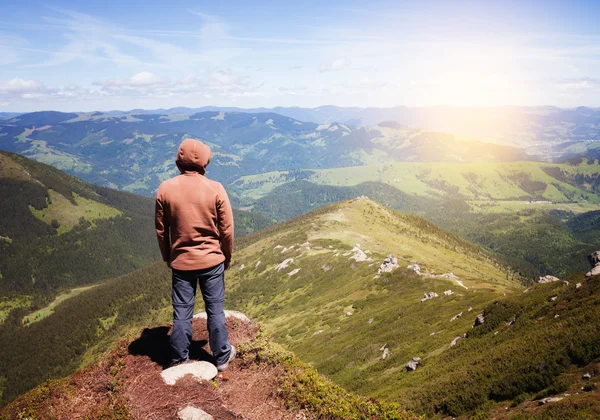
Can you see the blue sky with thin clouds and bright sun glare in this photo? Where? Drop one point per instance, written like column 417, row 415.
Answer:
column 85, row 56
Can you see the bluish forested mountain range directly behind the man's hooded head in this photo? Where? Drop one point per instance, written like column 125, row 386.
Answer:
column 135, row 152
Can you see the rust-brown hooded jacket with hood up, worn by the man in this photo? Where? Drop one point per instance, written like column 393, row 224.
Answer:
column 194, row 220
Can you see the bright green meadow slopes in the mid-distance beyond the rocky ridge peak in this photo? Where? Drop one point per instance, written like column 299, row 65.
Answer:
column 477, row 182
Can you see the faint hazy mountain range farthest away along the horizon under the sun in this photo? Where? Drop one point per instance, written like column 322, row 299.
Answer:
column 548, row 132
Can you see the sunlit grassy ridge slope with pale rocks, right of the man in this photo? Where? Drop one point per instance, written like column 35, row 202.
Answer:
column 308, row 311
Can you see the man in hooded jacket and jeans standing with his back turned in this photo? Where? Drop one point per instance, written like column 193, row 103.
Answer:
column 194, row 226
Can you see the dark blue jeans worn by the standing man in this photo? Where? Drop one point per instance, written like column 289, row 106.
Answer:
column 212, row 285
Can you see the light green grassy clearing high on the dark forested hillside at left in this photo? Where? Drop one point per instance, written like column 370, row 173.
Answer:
column 68, row 214
